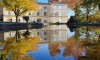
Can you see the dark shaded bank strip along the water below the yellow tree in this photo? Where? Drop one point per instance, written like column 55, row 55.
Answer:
column 10, row 26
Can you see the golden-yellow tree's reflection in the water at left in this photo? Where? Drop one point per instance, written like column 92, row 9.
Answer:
column 18, row 50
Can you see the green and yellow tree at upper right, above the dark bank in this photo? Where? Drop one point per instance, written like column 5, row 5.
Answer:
column 88, row 10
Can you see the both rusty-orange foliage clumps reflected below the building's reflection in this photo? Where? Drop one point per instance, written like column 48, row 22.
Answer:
column 71, row 48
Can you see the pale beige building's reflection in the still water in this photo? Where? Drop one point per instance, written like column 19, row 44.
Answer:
column 46, row 34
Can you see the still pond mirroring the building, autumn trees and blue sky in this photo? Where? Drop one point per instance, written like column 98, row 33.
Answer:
column 52, row 42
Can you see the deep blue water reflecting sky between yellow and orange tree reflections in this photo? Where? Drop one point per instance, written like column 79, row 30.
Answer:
column 43, row 54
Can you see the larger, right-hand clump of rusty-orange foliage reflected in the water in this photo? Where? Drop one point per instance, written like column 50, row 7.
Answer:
column 73, row 48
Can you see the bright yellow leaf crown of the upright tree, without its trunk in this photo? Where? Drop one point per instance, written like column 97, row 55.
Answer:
column 20, row 4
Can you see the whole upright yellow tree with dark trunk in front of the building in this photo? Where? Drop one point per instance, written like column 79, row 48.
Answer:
column 20, row 7
